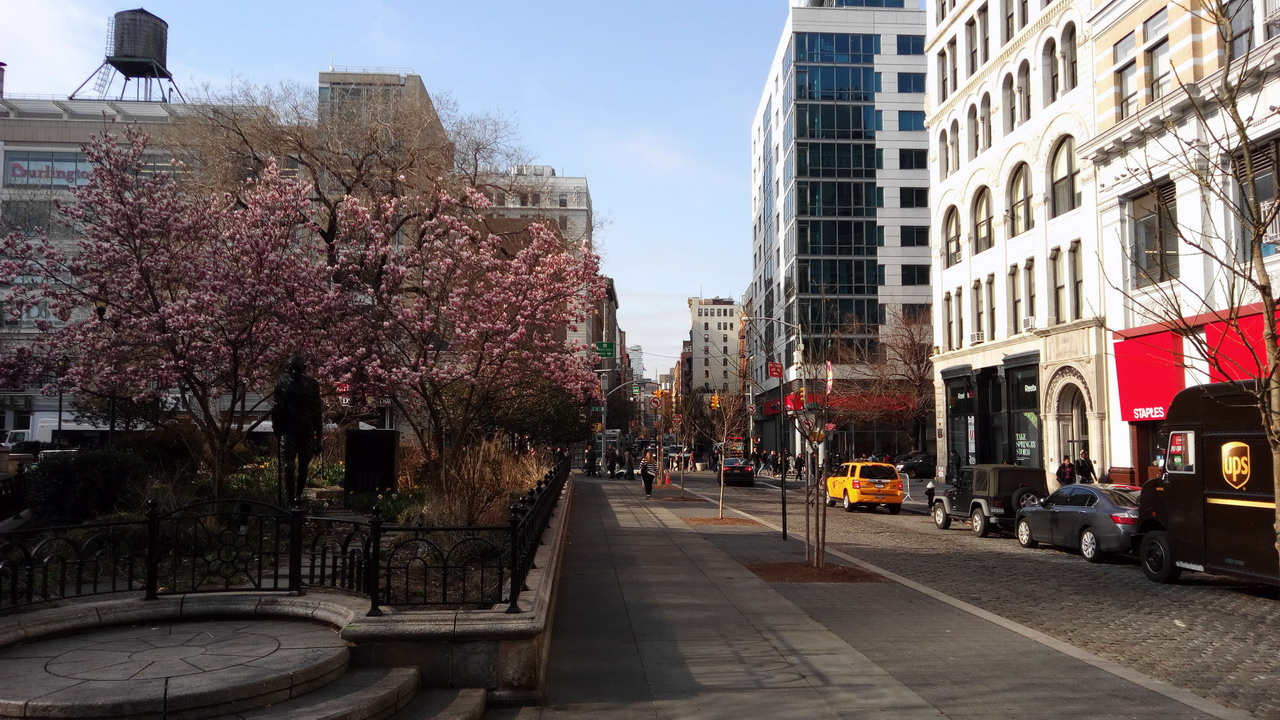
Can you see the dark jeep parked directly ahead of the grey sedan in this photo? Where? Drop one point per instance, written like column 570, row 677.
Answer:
column 989, row 495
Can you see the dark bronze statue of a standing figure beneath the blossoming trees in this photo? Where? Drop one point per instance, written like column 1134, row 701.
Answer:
column 298, row 417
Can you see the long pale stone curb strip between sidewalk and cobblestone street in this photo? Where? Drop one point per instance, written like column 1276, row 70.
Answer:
column 1172, row 692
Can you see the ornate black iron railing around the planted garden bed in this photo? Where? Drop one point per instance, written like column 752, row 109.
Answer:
column 244, row 545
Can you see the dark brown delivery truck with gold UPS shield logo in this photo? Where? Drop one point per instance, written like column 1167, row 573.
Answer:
column 1213, row 508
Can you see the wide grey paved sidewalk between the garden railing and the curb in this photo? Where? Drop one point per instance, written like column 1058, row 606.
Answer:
column 660, row 618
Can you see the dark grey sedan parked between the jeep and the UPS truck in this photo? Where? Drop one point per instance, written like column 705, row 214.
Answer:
column 1095, row 520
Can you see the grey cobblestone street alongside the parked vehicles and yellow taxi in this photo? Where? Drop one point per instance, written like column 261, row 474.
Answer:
column 1208, row 635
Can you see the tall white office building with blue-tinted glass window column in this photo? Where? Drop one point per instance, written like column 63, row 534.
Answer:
column 840, row 202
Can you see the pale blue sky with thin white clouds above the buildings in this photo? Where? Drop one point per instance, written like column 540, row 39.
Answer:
column 651, row 101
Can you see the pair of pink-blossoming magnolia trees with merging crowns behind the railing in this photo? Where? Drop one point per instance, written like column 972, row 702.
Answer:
column 207, row 297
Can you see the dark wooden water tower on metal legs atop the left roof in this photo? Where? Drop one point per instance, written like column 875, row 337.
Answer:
column 138, row 49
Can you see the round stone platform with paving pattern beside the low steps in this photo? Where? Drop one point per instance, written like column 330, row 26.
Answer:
column 166, row 668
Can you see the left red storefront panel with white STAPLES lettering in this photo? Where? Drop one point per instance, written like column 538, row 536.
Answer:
column 1150, row 372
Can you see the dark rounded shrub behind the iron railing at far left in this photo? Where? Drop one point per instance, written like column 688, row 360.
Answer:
column 74, row 487
